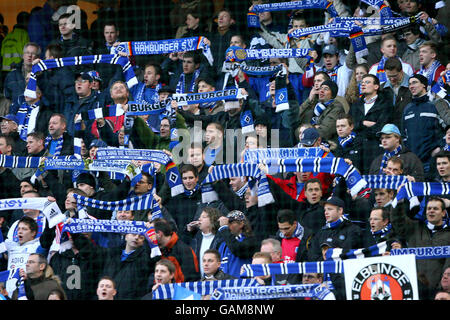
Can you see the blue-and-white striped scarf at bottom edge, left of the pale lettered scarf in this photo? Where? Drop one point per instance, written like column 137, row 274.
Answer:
column 166, row 291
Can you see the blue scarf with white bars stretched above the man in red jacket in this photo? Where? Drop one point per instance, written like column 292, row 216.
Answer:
column 329, row 165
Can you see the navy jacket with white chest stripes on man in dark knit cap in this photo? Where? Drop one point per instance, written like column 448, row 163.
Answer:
column 421, row 127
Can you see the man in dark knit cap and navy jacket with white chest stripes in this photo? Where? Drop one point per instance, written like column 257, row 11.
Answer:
column 421, row 124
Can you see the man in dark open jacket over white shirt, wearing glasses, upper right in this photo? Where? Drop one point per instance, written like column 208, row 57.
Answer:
column 370, row 114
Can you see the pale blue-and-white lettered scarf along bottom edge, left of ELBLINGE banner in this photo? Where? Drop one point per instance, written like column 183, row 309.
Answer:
column 271, row 292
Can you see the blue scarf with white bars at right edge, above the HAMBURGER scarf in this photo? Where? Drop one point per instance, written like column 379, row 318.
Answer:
column 412, row 190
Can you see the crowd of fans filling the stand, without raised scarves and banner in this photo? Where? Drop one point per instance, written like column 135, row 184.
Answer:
column 378, row 112
